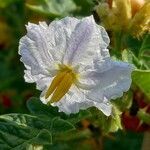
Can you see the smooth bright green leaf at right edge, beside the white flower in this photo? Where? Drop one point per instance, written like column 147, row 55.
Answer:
column 142, row 79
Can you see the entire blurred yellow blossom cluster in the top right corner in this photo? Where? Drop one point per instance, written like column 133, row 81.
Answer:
column 125, row 15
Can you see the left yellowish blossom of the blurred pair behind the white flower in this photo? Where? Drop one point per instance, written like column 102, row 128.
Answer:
column 115, row 15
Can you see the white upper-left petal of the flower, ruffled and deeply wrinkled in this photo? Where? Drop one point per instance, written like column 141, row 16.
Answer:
column 44, row 46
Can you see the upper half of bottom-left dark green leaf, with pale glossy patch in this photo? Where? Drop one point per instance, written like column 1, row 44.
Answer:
column 54, row 125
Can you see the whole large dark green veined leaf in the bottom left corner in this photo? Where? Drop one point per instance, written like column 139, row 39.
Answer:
column 21, row 131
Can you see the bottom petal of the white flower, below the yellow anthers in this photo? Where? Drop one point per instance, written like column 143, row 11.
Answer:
column 76, row 100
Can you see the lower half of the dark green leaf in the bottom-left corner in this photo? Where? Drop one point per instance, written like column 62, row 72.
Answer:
column 15, row 137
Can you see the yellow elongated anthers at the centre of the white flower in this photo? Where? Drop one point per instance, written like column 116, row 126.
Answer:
column 61, row 83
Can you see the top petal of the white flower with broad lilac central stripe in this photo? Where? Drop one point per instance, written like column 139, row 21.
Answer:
column 88, row 41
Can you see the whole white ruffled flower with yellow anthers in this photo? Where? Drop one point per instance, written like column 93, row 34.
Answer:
column 71, row 65
